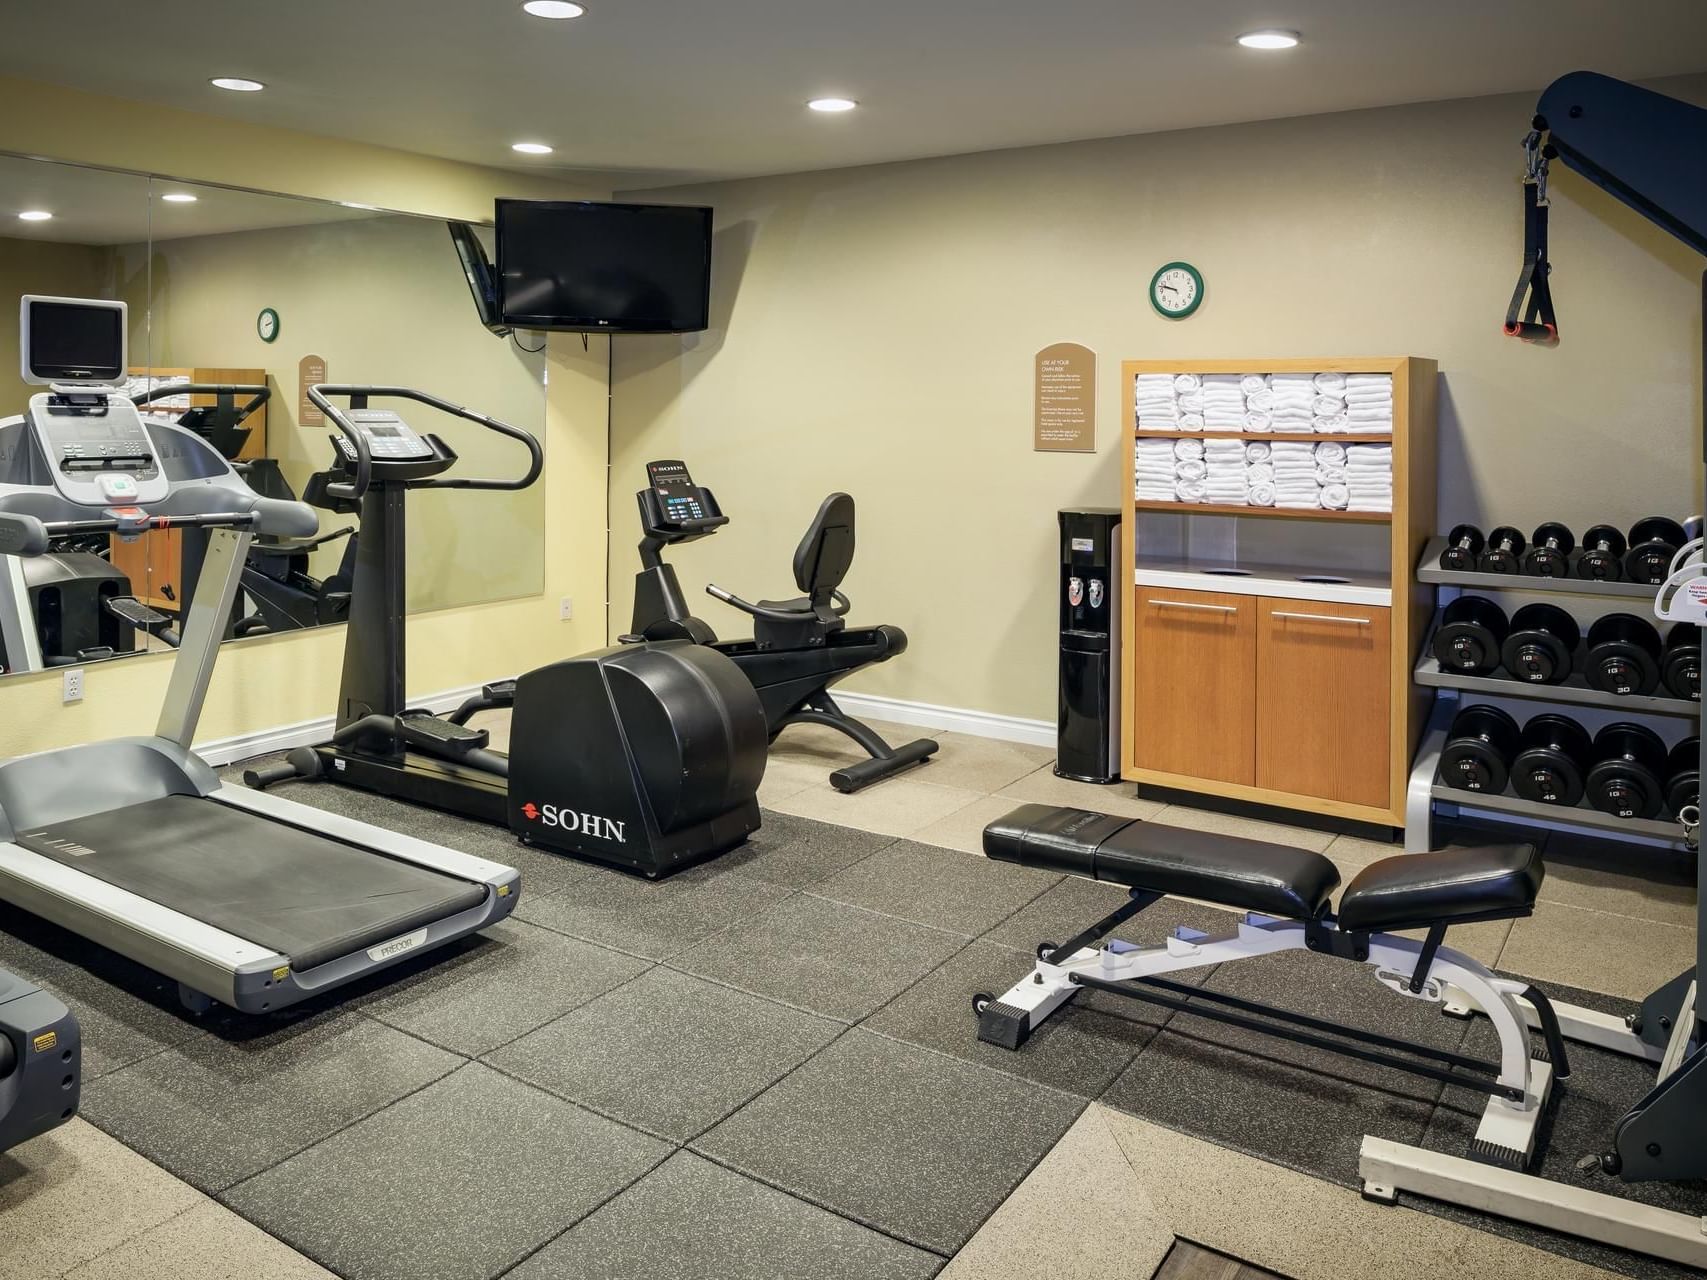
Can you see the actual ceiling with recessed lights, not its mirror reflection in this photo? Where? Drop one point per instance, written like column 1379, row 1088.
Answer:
column 653, row 91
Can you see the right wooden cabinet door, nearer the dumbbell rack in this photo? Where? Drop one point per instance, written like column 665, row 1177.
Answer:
column 1324, row 701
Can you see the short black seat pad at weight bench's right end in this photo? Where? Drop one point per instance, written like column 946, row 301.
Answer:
column 1454, row 885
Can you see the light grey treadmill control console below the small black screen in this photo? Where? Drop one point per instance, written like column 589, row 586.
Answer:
column 96, row 448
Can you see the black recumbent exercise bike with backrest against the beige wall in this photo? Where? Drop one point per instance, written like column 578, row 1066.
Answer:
column 800, row 646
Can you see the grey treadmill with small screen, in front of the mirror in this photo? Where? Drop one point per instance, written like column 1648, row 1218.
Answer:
column 136, row 844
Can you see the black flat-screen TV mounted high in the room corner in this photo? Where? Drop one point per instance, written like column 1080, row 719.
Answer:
column 593, row 267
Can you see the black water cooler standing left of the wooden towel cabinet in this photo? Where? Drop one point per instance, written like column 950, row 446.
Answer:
column 1088, row 735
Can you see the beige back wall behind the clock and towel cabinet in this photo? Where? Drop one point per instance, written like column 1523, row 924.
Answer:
column 877, row 327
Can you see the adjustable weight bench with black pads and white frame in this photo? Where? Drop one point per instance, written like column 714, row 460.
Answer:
column 1286, row 897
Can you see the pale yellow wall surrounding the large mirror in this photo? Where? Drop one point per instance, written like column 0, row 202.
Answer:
column 293, row 678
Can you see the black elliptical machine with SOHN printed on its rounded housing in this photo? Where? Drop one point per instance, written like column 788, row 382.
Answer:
column 648, row 759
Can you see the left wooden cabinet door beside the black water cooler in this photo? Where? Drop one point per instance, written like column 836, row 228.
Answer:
column 1194, row 684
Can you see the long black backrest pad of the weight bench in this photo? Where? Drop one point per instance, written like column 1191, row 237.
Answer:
column 1249, row 875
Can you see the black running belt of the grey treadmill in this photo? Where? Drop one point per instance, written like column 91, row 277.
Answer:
column 306, row 897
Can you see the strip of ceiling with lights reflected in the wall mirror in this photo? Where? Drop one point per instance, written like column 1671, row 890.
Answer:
column 103, row 207
